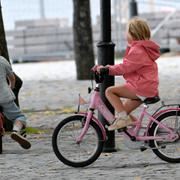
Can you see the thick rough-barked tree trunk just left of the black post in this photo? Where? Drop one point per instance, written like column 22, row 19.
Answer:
column 83, row 43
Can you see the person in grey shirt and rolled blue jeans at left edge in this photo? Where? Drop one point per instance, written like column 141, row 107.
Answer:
column 10, row 109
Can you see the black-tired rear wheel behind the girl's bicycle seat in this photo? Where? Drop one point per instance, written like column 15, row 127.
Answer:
column 164, row 152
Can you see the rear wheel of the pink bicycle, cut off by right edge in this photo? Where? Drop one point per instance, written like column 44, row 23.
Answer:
column 166, row 150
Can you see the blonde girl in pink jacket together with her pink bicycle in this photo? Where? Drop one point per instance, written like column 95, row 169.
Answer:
column 78, row 140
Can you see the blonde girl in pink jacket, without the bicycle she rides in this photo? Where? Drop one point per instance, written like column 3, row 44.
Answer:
column 140, row 71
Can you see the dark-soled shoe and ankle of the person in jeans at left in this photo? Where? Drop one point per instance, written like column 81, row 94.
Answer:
column 19, row 135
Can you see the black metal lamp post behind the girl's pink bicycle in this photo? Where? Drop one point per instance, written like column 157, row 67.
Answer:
column 106, row 56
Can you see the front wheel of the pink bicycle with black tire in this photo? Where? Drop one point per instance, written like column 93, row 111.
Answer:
column 67, row 151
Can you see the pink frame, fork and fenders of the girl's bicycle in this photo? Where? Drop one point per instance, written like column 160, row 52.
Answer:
column 97, row 103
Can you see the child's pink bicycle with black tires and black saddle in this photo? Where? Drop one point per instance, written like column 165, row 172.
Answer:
column 78, row 140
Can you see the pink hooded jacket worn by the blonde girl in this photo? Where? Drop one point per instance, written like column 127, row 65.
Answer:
column 139, row 68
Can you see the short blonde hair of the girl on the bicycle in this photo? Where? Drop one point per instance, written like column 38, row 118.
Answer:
column 138, row 29
